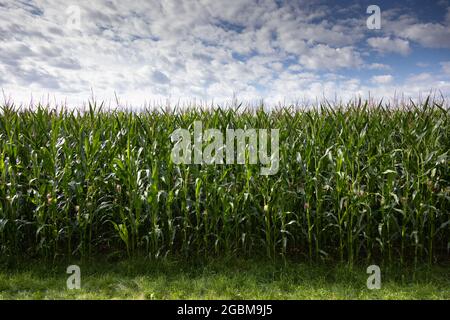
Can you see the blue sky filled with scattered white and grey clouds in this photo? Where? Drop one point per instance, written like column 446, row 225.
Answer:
column 152, row 52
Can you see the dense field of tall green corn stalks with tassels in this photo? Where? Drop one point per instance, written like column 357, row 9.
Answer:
column 356, row 182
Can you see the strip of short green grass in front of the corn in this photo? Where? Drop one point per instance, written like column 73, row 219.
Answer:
column 220, row 279
